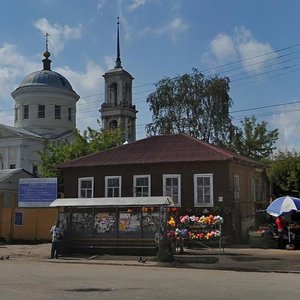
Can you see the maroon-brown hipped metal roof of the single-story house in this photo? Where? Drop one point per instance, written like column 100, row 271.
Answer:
column 158, row 149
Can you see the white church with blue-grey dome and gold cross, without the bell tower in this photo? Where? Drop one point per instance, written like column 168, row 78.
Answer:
column 45, row 110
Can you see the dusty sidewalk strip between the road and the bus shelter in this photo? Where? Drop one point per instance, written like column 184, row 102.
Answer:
column 234, row 259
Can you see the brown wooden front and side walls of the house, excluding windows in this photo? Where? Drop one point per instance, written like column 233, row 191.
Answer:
column 238, row 216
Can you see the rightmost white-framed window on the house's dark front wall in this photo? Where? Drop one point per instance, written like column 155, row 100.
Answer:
column 203, row 190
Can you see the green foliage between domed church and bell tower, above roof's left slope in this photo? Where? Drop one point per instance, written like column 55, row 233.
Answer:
column 91, row 141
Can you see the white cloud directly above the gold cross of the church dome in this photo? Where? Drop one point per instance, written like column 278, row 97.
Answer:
column 59, row 35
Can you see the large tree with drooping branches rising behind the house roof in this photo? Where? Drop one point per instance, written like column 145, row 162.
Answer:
column 191, row 104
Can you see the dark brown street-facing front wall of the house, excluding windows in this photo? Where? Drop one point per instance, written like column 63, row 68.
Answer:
column 187, row 170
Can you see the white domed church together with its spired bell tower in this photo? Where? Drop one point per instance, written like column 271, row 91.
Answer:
column 45, row 110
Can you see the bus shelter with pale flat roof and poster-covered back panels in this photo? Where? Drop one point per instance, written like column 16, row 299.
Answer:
column 113, row 225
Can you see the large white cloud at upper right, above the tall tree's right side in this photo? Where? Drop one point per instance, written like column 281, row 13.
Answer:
column 242, row 45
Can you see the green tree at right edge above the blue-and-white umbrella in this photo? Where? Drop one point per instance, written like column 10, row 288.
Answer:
column 284, row 173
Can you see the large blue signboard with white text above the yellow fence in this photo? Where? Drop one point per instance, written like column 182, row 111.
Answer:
column 37, row 192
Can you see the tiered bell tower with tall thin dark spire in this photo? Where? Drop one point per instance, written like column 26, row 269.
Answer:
column 117, row 112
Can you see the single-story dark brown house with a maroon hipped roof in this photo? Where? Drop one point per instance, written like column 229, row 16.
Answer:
column 201, row 178
